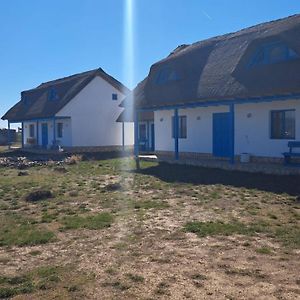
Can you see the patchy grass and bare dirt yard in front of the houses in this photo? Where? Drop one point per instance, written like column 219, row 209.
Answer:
column 104, row 231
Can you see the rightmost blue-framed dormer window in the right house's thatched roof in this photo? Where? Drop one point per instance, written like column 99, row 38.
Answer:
column 272, row 53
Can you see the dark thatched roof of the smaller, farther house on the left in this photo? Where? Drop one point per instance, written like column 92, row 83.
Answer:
column 35, row 103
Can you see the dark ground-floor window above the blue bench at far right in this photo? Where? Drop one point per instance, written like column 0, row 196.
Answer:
column 283, row 124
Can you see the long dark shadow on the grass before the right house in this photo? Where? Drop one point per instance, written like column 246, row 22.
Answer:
column 208, row 176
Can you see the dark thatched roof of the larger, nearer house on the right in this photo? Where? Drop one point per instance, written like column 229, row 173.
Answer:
column 218, row 68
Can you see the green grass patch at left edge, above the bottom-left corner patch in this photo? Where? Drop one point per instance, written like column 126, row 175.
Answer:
column 16, row 231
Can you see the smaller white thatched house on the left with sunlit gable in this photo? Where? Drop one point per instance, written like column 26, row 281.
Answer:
column 77, row 111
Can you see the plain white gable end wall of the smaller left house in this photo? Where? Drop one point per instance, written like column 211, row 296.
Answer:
column 94, row 113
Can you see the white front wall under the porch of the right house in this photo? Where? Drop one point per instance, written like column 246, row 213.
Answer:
column 252, row 134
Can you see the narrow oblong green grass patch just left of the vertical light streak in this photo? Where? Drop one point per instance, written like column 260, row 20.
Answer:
column 99, row 221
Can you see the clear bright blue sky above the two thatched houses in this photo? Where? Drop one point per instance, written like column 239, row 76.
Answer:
column 49, row 39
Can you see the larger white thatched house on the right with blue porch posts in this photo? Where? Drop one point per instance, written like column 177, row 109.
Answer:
column 226, row 96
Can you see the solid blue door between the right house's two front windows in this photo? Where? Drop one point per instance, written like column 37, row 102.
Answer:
column 221, row 134
